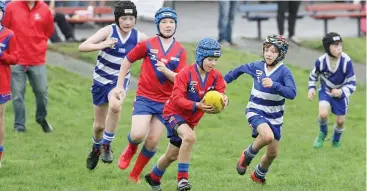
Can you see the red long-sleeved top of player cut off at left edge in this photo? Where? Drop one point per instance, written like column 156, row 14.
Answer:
column 7, row 58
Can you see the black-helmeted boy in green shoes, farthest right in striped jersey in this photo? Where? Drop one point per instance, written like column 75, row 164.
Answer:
column 338, row 82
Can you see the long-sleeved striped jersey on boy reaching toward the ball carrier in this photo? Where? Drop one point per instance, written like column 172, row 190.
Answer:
column 267, row 102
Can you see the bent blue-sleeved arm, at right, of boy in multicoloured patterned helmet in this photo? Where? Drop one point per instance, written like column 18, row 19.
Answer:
column 289, row 89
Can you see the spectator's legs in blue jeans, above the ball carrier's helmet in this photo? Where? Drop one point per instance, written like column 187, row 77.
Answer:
column 227, row 10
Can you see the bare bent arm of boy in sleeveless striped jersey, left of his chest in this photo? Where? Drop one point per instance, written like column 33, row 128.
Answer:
column 98, row 41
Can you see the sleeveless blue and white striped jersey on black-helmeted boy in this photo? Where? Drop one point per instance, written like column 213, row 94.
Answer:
column 109, row 59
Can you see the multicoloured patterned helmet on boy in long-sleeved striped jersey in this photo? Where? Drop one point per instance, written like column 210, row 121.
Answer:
column 280, row 43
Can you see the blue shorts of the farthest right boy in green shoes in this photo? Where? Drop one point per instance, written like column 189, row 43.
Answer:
column 339, row 106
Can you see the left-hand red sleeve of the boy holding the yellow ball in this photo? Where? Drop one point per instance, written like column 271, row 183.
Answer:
column 179, row 92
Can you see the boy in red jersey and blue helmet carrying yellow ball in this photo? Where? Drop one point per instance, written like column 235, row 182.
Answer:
column 184, row 110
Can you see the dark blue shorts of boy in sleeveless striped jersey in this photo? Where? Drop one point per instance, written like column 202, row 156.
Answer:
column 100, row 92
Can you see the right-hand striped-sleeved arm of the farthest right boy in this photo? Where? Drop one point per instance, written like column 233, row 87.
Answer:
column 349, row 85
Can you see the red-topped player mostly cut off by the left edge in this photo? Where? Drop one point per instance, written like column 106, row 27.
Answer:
column 8, row 56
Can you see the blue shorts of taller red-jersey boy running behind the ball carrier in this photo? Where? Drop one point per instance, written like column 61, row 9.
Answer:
column 146, row 106
